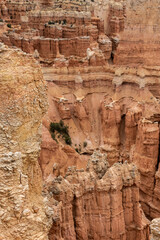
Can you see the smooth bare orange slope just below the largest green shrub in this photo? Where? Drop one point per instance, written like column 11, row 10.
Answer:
column 56, row 158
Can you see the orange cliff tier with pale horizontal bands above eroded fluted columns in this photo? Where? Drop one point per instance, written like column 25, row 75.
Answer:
column 115, row 110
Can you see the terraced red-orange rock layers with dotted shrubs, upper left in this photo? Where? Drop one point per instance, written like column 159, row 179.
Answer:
column 56, row 31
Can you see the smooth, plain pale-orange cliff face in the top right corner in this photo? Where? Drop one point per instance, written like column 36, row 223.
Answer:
column 139, row 43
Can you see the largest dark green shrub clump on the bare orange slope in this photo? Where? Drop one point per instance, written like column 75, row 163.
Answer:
column 62, row 130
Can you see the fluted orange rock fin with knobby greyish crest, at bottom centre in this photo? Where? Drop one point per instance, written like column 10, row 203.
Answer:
column 100, row 203
